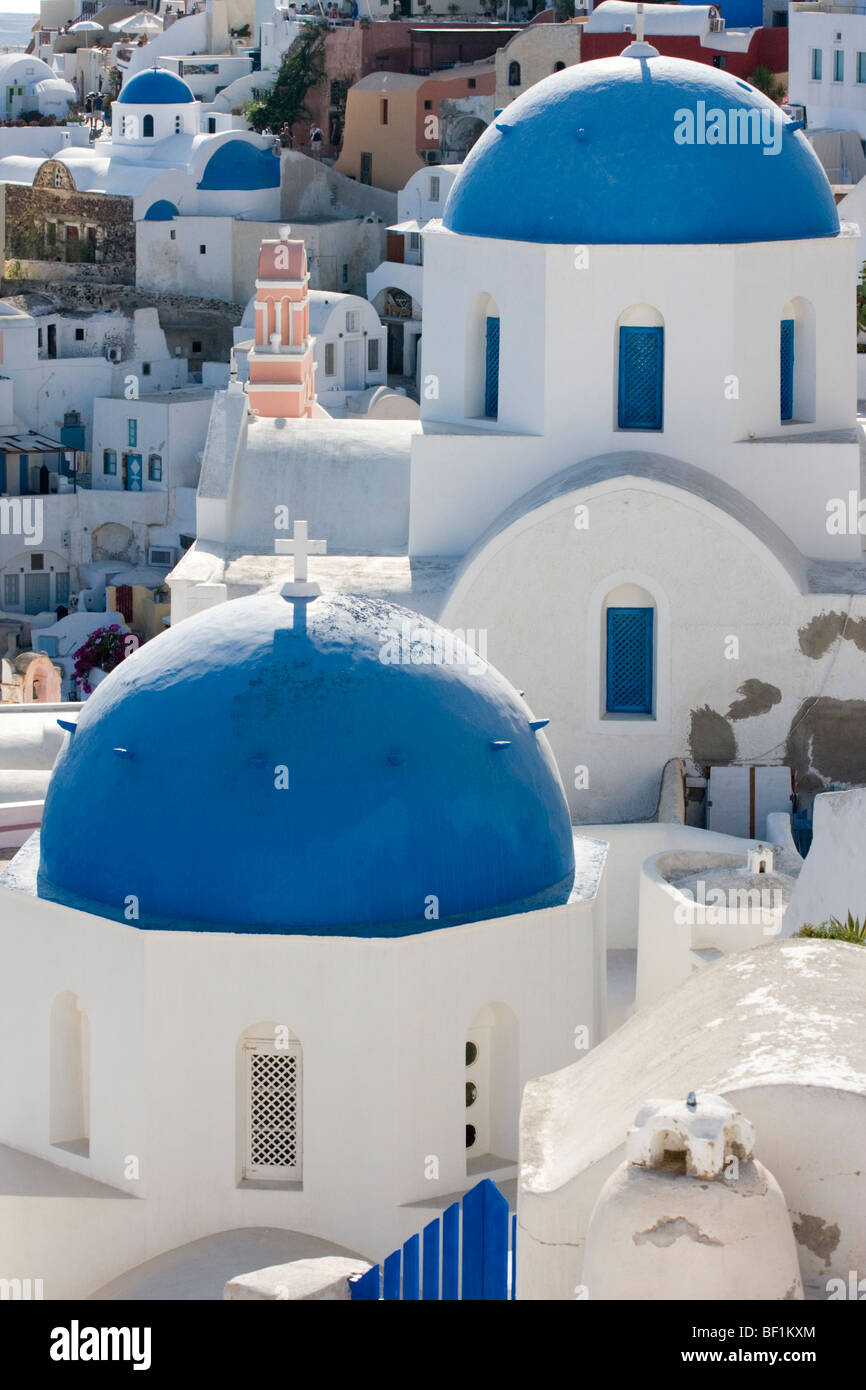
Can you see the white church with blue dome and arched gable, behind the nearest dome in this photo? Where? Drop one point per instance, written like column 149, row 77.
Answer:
column 637, row 468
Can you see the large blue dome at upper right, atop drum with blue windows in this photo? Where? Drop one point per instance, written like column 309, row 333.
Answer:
column 590, row 156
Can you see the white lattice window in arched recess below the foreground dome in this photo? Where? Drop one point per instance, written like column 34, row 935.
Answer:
column 273, row 1088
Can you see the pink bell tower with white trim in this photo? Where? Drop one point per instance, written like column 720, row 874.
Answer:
column 281, row 363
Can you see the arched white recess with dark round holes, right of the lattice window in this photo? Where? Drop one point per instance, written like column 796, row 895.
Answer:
column 491, row 1085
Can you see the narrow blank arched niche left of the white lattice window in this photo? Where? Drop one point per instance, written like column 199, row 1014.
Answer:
column 70, row 1075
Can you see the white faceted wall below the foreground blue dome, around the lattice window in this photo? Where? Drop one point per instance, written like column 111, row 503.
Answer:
column 383, row 1025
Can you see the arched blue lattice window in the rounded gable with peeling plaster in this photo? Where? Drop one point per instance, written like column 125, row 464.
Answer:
column 630, row 646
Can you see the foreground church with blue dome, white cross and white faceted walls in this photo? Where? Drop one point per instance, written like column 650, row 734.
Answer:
column 305, row 915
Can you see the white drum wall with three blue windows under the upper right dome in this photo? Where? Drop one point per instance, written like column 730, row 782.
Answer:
column 554, row 415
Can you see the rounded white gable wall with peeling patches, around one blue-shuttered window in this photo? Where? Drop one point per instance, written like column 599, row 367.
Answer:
column 537, row 589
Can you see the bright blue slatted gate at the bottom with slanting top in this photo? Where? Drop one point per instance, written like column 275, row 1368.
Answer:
column 464, row 1254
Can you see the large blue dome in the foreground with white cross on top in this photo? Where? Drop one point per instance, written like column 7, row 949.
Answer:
column 408, row 780
